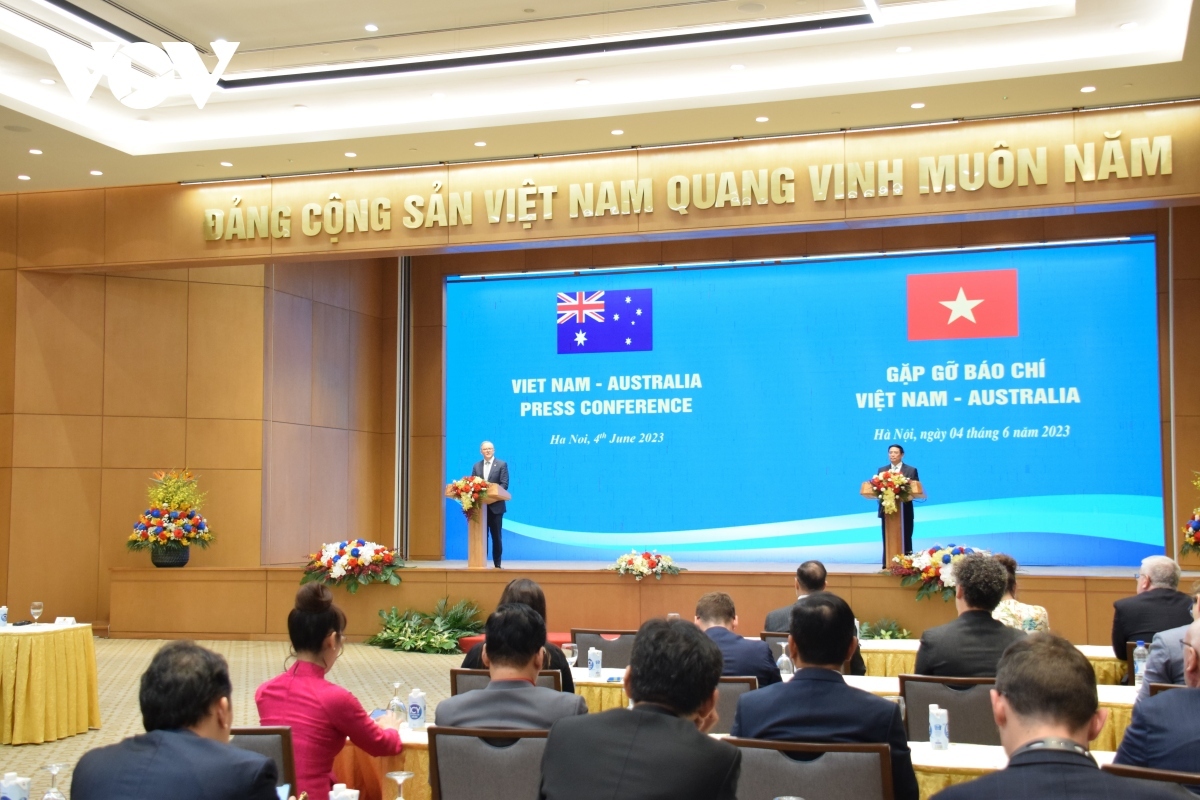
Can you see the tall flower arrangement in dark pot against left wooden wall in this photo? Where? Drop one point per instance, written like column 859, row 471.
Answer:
column 173, row 525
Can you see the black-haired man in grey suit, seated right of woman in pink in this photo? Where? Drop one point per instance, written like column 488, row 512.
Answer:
column 514, row 654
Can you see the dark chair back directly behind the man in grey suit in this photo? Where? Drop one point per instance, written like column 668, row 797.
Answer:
column 502, row 765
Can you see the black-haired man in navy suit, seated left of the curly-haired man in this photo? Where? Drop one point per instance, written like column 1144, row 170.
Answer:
column 818, row 706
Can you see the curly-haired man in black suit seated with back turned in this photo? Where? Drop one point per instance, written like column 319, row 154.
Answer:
column 971, row 646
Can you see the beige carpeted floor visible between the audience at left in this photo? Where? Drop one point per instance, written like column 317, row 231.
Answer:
column 368, row 672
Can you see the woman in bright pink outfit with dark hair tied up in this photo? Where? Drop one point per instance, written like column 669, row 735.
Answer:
column 321, row 714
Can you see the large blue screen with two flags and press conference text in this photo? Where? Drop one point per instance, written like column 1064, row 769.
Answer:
column 731, row 413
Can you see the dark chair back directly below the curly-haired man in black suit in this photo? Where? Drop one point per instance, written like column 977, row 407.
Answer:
column 968, row 700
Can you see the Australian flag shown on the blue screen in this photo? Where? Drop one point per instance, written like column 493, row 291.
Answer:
column 616, row 321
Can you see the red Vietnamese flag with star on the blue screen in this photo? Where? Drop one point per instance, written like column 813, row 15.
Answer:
column 963, row 305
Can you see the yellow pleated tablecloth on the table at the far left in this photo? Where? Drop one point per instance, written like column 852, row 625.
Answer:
column 49, row 688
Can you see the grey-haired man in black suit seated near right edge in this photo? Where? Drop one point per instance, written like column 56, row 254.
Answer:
column 1157, row 606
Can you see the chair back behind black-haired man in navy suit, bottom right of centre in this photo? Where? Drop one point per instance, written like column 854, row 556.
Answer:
column 775, row 769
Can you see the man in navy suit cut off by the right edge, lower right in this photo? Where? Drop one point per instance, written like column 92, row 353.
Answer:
column 1166, row 730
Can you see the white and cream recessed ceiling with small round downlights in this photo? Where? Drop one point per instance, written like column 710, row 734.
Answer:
column 968, row 58
